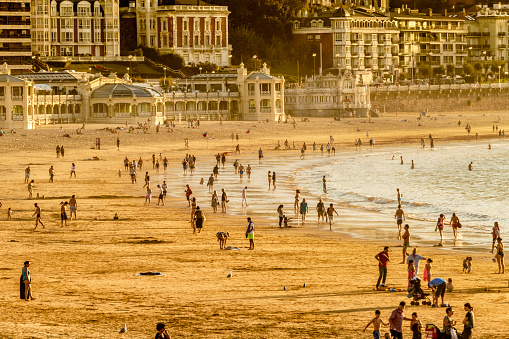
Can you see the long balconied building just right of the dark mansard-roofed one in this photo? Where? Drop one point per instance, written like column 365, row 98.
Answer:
column 432, row 39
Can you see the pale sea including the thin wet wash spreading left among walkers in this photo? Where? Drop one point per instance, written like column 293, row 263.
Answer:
column 363, row 184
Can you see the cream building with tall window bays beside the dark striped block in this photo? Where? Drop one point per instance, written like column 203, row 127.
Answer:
column 75, row 28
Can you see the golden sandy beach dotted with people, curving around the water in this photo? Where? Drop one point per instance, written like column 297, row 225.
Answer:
column 84, row 275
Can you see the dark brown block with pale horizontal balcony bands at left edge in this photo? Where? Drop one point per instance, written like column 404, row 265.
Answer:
column 15, row 35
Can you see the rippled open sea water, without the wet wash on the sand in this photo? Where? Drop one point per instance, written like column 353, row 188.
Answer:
column 439, row 183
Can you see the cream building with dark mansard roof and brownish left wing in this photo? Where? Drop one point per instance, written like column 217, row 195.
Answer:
column 355, row 39
